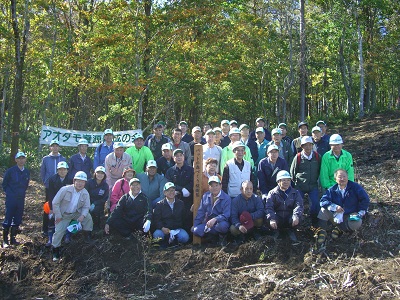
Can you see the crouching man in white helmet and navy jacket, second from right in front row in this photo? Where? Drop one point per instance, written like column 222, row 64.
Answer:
column 284, row 206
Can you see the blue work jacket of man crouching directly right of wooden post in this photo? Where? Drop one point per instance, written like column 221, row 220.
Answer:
column 221, row 210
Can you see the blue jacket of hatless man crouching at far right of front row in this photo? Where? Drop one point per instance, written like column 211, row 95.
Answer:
column 355, row 198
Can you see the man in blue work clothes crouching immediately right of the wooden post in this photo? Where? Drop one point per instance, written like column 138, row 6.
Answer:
column 212, row 217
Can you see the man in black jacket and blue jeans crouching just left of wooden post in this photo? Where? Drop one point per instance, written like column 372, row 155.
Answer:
column 168, row 218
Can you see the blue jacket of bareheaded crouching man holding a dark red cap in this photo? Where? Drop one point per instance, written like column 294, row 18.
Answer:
column 253, row 205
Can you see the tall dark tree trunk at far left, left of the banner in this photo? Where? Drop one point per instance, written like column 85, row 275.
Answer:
column 20, row 45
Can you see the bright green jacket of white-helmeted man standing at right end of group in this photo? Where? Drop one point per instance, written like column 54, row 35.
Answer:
column 330, row 164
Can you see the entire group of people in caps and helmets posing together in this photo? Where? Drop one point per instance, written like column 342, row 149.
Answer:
column 253, row 182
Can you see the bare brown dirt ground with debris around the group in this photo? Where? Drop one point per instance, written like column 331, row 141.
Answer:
column 365, row 265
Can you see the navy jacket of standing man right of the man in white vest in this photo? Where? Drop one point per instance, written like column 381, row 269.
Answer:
column 267, row 176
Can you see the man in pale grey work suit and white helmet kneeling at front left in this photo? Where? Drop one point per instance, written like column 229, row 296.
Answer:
column 72, row 202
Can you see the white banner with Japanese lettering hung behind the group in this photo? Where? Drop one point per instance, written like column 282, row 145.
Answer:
column 70, row 138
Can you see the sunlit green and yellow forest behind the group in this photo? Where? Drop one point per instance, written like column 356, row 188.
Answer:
column 96, row 64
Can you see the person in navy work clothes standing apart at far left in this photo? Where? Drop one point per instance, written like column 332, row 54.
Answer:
column 15, row 183
